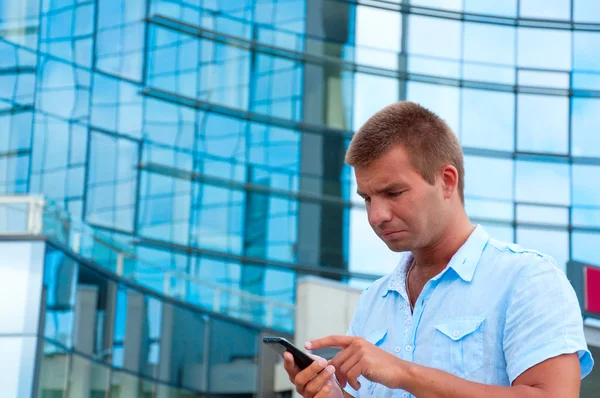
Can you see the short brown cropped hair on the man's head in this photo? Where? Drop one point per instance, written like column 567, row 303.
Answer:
column 427, row 138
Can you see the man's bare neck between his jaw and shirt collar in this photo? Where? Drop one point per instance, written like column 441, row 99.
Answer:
column 437, row 256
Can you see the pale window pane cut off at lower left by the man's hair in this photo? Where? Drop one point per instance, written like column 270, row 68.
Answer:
column 441, row 99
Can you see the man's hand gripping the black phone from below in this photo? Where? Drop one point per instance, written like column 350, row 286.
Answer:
column 316, row 381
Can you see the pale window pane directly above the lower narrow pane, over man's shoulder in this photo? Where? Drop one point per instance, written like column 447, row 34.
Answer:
column 543, row 182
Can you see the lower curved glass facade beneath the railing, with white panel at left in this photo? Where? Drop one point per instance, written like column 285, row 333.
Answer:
column 97, row 335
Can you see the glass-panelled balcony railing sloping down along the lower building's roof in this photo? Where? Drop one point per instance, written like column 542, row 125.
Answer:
column 36, row 216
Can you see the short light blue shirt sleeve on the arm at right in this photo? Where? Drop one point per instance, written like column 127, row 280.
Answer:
column 543, row 320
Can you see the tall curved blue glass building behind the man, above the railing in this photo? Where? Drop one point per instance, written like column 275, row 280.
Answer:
column 204, row 139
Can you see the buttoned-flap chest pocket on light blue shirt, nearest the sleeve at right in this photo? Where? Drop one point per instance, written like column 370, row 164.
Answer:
column 458, row 345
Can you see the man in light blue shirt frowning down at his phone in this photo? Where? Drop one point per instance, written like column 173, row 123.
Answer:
column 463, row 315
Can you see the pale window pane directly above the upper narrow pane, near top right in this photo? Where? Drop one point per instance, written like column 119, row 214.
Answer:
column 544, row 48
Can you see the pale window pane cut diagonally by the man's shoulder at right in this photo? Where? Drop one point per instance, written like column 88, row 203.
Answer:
column 553, row 243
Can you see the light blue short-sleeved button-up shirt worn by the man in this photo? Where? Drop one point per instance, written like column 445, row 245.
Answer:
column 494, row 312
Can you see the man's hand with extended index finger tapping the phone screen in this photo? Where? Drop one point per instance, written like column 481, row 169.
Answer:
column 359, row 357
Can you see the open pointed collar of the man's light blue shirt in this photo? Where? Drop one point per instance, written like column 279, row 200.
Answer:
column 463, row 262
